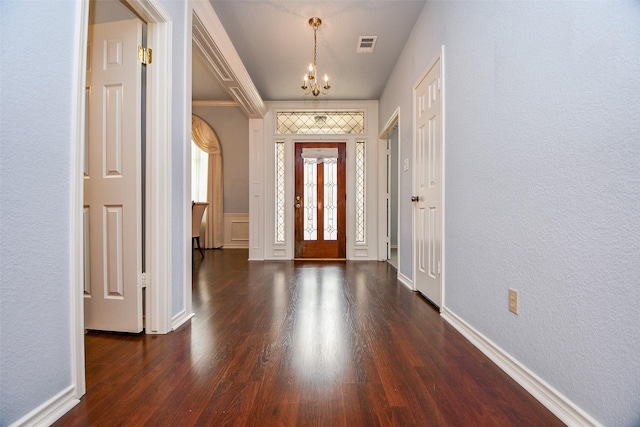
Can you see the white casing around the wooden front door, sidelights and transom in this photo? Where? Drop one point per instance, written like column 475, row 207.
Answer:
column 262, row 211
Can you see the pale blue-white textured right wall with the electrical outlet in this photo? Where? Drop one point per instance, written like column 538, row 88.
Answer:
column 542, row 185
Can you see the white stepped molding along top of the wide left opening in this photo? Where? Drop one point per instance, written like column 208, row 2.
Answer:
column 213, row 44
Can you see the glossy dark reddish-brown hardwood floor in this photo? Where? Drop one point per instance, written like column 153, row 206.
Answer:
column 295, row 343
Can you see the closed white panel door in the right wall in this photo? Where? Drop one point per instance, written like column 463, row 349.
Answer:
column 428, row 185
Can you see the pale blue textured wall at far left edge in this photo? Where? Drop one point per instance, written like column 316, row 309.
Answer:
column 35, row 135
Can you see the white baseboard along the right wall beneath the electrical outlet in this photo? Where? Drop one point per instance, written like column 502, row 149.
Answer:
column 568, row 412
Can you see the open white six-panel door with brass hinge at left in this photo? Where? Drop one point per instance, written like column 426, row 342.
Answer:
column 112, row 192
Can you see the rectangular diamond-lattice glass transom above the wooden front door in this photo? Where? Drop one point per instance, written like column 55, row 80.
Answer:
column 319, row 122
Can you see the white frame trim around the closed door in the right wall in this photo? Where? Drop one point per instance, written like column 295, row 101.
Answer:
column 438, row 57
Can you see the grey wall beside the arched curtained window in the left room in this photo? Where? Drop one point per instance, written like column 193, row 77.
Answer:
column 232, row 127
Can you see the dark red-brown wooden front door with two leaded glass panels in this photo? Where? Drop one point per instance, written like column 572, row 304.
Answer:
column 320, row 200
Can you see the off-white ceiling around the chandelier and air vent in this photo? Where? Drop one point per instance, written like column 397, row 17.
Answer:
column 275, row 43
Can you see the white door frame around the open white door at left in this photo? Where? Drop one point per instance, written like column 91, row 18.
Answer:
column 158, row 177
